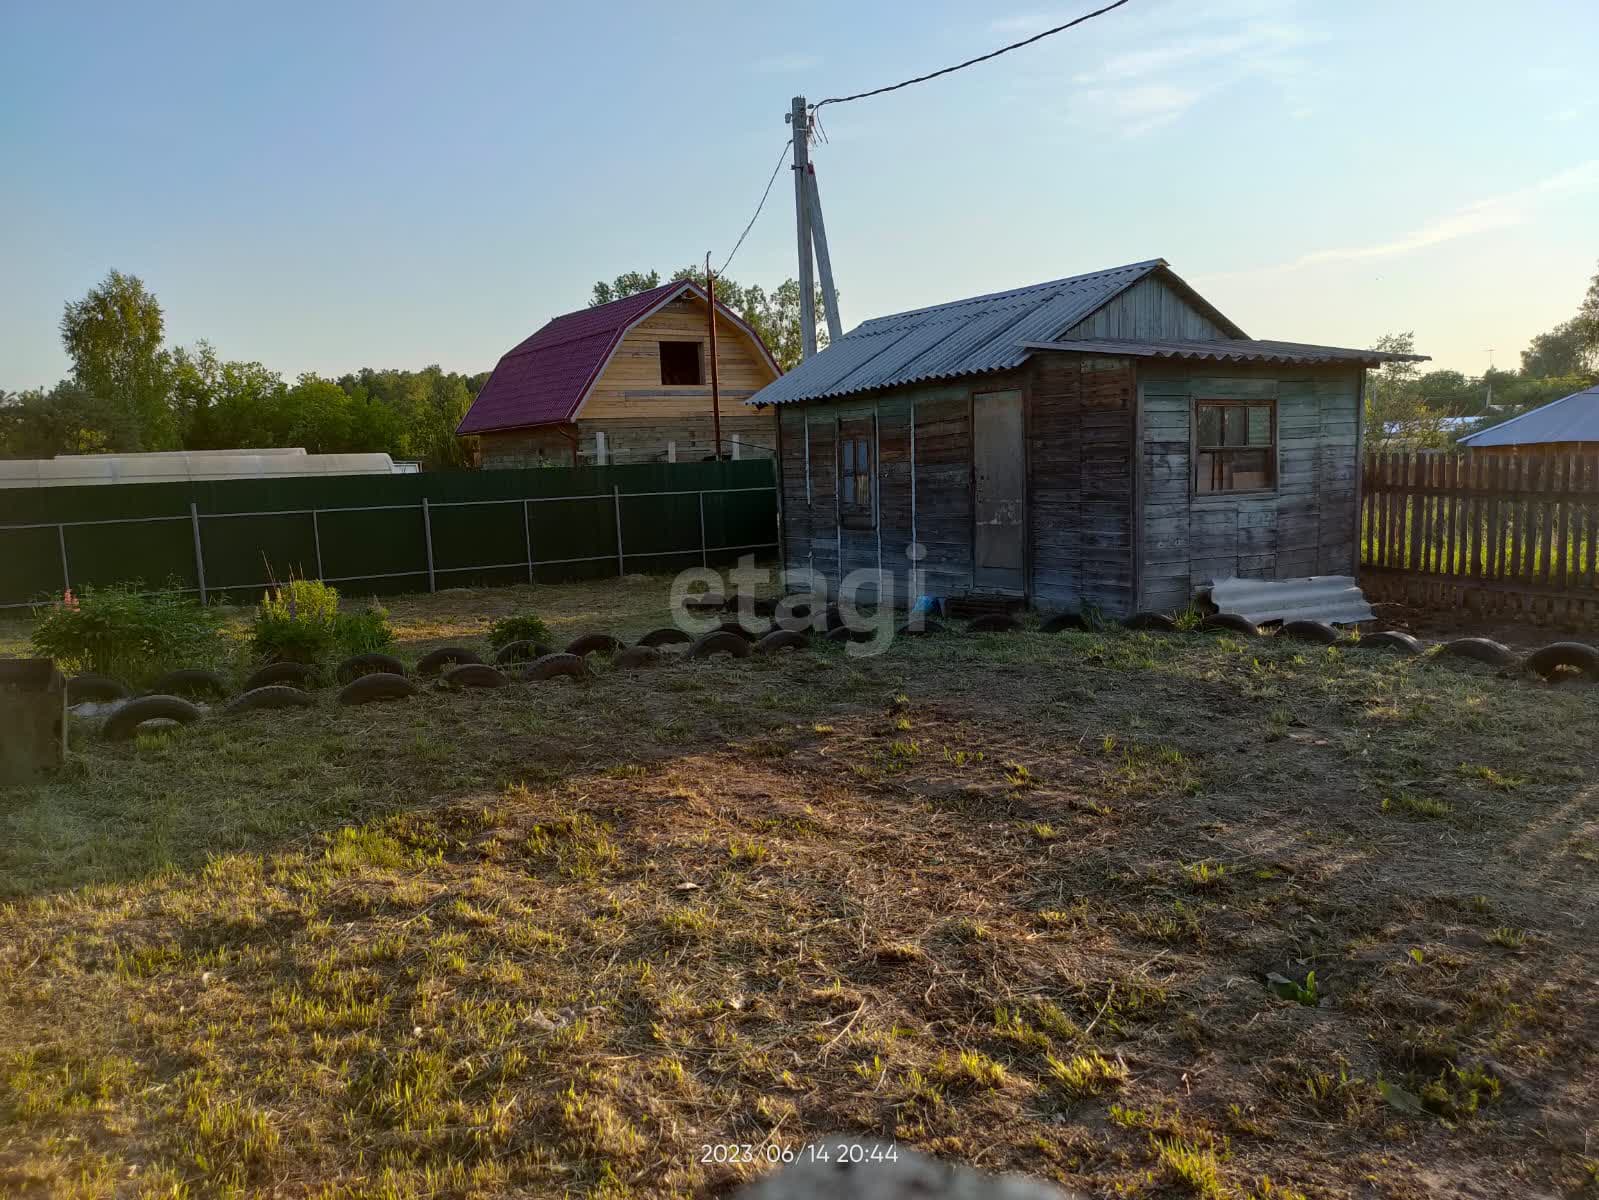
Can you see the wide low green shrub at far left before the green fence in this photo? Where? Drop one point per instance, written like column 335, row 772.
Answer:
column 116, row 631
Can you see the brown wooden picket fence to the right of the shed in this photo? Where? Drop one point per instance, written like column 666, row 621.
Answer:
column 1497, row 535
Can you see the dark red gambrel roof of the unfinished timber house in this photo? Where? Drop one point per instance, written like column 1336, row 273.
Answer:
column 546, row 380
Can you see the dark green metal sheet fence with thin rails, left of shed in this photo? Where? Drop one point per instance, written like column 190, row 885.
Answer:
column 385, row 534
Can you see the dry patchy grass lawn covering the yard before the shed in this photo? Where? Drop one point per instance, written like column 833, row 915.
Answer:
column 1147, row 914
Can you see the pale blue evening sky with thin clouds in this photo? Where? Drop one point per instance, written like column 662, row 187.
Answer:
column 325, row 186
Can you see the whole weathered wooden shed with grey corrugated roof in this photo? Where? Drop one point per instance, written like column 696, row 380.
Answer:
column 1107, row 441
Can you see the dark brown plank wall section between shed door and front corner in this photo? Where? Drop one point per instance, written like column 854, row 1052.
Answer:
column 1082, row 495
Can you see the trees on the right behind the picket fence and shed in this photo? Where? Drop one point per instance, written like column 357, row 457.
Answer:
column 1406, row 407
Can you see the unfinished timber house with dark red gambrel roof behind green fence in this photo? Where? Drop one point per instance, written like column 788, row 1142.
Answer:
column 626, row 383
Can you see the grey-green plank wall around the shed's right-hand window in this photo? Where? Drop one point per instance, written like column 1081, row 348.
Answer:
column 1304, row 527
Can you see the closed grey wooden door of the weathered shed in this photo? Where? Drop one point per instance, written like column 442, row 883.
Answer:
column 1000, row 502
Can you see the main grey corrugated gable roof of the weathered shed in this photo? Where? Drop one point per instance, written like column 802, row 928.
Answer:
column 967, row 337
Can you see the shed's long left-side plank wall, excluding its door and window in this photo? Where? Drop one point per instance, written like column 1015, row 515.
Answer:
column 1079, row 454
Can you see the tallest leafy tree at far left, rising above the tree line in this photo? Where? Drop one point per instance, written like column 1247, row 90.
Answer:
column 114, row 338
